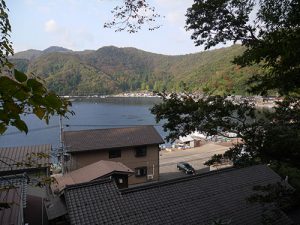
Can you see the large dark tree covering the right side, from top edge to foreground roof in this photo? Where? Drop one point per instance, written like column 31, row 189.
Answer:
column 270, row 38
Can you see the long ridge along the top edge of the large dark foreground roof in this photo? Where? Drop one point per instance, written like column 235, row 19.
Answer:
column 183, row 179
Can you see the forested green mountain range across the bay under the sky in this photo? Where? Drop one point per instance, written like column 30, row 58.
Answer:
column 113, row 70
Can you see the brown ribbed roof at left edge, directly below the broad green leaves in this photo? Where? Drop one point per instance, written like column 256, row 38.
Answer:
column 11, row 157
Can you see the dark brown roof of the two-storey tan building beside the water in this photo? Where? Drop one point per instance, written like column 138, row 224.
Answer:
column 84, row 140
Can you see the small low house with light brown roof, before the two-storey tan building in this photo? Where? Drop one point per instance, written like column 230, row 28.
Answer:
column 101, row 169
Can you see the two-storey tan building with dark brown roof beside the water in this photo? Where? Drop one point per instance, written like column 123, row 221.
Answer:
column 136, row 147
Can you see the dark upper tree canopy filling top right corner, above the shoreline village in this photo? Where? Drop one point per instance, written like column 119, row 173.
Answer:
column 270, row 38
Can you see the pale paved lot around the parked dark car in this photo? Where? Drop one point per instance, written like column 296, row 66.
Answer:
column 195, row 156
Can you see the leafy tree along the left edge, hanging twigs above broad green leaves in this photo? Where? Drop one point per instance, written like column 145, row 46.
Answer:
column 22, row 94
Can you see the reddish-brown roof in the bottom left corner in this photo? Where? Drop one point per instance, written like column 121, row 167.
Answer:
column 13, row 199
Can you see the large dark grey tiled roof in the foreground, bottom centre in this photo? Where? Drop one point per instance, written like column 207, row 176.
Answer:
column 198, row 199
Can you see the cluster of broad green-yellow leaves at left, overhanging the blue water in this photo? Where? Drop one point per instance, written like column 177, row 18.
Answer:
column 23, row 95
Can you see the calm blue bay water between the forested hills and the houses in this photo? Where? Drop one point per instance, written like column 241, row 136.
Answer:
column 89, row 114
